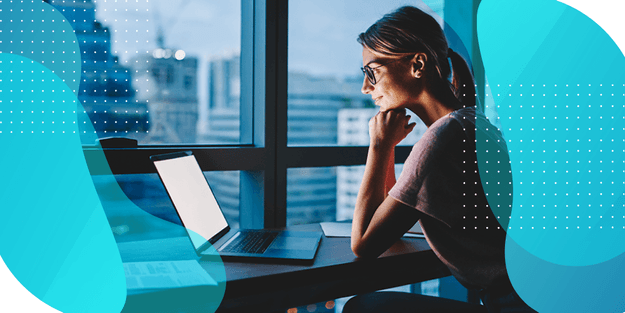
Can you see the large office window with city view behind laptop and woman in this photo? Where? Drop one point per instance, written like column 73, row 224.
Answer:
column 270, row 100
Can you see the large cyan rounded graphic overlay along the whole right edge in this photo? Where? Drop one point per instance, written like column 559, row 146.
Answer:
column 555, row 79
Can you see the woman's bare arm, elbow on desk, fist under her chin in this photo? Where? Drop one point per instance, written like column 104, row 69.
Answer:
column 380, row 220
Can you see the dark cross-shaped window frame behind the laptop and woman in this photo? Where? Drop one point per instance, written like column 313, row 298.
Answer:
column 262, row 164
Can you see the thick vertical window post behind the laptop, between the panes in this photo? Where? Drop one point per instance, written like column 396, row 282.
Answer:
column 263, row 193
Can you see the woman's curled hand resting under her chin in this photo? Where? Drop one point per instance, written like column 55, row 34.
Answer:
column 388, row 128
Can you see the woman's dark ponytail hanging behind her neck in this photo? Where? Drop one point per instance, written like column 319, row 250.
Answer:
column 462, row 82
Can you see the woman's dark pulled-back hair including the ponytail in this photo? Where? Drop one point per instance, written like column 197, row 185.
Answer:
column 409, row 30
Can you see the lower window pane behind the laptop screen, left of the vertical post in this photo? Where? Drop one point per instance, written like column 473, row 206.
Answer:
column 144, row 211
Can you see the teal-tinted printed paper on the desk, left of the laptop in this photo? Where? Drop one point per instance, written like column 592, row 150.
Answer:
column 165, row 274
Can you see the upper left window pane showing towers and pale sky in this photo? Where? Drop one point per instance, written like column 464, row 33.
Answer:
column 162, row 72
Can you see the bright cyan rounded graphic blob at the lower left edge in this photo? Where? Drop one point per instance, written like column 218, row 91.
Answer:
column 56, row 239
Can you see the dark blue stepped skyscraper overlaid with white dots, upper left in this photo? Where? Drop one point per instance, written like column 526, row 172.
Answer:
column 106, row 91
